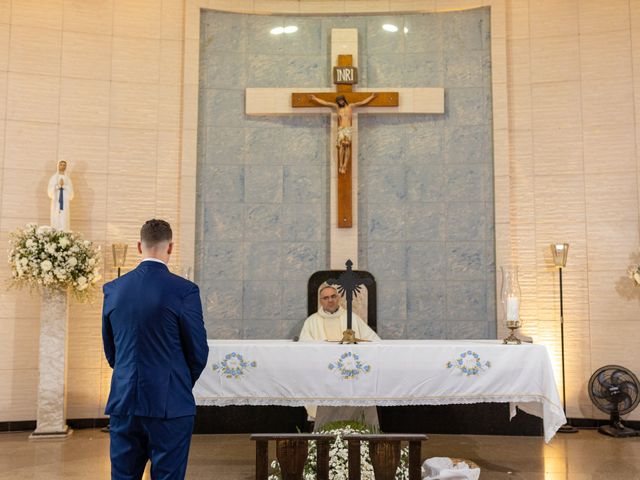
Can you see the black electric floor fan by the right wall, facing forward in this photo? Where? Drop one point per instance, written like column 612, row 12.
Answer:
column 614, row 390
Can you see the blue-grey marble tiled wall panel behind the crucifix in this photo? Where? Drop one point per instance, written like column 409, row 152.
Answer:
column 425, row 196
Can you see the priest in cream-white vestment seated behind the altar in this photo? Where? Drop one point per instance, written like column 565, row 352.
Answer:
column 328, row 324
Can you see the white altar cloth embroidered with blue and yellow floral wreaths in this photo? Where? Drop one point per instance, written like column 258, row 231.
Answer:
column 391, row 372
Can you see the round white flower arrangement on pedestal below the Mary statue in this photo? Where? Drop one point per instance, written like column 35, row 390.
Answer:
column 46, row 257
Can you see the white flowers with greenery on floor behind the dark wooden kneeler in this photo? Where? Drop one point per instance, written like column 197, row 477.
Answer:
column 338, row 455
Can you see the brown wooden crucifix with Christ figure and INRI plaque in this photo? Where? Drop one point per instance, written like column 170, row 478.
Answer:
column 345, row 75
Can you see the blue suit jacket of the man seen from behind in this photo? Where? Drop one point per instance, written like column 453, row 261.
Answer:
column 155, row 341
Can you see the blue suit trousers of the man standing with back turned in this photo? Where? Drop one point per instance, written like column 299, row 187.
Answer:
column 135, row 439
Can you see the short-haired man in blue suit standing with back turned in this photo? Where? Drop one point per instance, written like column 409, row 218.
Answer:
column 155, row 341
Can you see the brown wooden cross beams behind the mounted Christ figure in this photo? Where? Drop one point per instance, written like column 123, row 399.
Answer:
column 344, row 89
